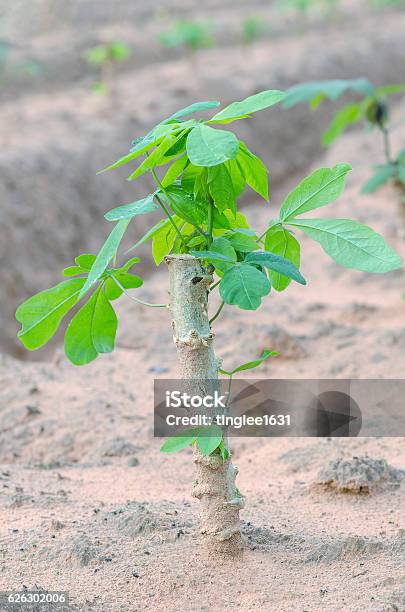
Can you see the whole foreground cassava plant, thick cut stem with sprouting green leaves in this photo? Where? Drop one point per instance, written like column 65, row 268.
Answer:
column 199, row 171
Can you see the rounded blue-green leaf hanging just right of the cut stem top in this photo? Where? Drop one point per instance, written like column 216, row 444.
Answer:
column 244, row 285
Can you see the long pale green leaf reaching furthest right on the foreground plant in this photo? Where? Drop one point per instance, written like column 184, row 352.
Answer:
column 351, row 244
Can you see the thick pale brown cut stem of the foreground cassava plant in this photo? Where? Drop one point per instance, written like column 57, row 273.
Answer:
column 215, row 479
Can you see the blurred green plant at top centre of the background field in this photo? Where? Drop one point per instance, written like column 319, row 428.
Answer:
column 192, row 35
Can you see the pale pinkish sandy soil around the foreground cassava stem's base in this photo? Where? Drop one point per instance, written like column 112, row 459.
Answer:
column 88, row 504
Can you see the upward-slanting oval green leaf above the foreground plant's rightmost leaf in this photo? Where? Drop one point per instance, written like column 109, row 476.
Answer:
column 319, row 189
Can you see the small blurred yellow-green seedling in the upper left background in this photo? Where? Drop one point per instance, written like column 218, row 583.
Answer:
column 104, row 57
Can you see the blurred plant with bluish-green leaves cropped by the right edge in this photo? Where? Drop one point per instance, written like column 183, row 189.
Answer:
column 372, row 109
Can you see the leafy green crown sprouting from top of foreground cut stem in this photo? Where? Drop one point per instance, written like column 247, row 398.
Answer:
column 203, row 170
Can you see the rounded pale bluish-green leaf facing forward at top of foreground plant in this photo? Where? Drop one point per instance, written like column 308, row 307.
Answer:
column 207, row 146
